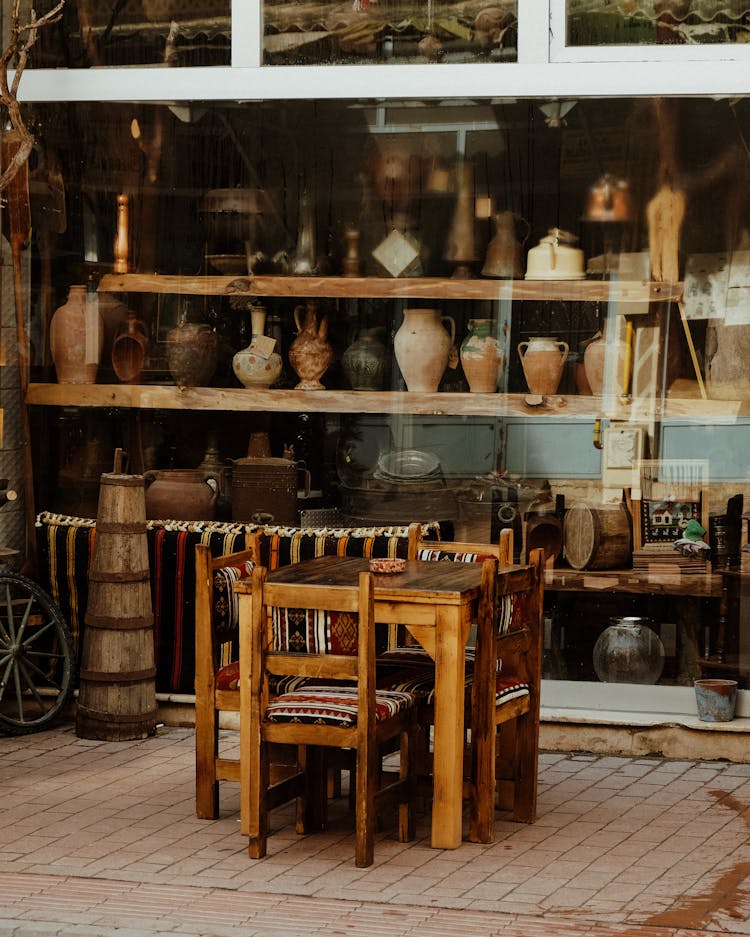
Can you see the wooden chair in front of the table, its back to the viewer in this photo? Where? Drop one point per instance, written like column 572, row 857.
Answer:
column 332, row 715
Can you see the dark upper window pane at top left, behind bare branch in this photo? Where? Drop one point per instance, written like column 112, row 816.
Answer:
column 95, row 33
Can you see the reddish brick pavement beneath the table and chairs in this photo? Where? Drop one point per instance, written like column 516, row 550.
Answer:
column 100, row 839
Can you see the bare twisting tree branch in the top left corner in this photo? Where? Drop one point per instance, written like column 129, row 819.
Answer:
column 22, row 38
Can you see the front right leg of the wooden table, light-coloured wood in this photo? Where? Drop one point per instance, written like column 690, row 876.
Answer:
column 448, row 757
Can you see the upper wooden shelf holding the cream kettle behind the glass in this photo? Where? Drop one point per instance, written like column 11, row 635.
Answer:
column 393, row 288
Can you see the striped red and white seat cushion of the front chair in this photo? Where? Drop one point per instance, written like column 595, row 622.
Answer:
column 333, row 706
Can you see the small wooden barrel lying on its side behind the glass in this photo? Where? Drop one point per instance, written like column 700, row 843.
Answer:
column 597, row 536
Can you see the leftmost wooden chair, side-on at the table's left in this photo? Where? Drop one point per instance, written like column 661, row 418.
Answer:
column 216, row 666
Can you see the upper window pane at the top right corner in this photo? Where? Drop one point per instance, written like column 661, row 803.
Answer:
column 657, row 22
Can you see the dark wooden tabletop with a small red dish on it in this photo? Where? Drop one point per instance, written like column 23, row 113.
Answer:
column 444, row 582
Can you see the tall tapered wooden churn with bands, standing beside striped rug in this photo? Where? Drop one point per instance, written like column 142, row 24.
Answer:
column 117, row 691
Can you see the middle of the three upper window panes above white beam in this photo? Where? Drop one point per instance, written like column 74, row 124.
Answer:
column 398, row 32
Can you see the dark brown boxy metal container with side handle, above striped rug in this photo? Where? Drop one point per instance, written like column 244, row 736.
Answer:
column 265, row 490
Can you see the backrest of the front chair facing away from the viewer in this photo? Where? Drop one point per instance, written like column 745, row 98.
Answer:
column 280, row 611
